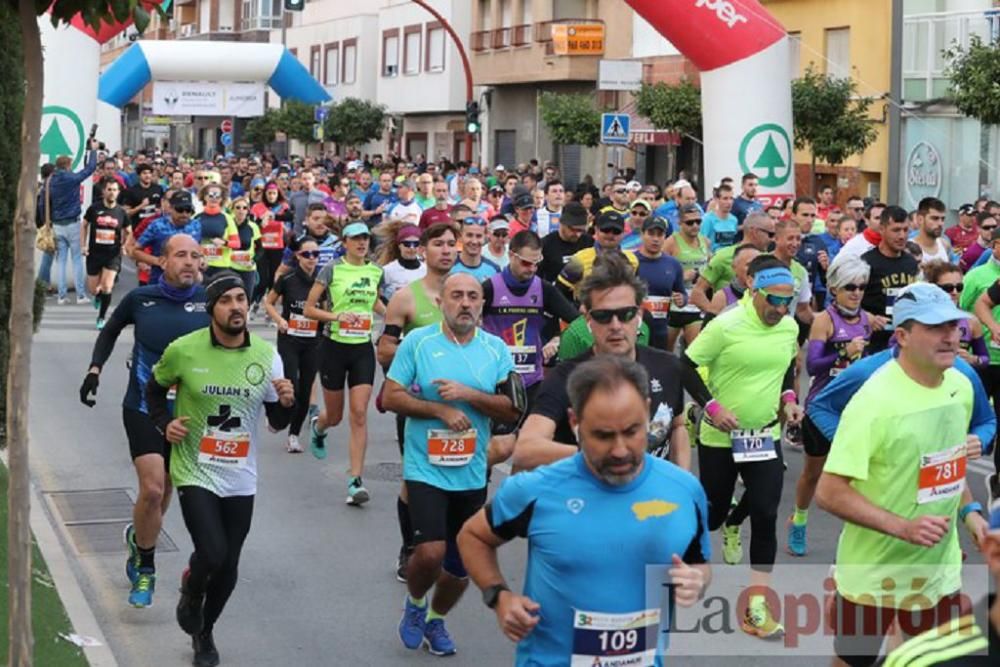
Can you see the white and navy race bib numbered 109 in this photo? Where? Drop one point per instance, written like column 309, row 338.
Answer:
column 615, row 640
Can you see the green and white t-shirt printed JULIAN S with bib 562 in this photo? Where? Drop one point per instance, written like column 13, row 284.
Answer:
column 221, row 391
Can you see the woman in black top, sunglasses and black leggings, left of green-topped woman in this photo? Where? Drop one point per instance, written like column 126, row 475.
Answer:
column 298, row 336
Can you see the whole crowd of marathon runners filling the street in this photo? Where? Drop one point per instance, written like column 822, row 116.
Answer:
column 600, row 339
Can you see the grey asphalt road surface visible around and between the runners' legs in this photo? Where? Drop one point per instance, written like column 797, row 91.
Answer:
column 316, row 583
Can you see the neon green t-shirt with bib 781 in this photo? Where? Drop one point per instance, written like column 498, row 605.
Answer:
column 889, row 429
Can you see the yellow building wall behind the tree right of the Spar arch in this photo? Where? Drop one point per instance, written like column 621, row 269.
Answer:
column 869, row 47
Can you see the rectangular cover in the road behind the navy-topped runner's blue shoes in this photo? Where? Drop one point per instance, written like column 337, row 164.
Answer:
column 95, row 519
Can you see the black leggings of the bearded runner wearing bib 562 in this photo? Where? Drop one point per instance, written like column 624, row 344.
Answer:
column 218, row 527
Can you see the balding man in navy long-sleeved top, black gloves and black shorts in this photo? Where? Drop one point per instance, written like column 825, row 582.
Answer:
column 160, row 313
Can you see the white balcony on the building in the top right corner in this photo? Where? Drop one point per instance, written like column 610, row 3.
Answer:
column 926, row 36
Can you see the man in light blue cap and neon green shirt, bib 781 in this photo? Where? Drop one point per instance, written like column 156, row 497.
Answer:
column 895, row 475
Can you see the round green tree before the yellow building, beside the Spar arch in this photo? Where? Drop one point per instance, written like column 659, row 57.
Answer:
column 830, row 119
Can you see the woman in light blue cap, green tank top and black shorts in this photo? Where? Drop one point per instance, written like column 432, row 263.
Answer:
column 351, row 287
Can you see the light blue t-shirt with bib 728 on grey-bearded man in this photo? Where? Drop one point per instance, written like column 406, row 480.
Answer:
column 428, row 354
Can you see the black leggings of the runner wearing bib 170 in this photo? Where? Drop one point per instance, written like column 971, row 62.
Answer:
column 763, row 481
